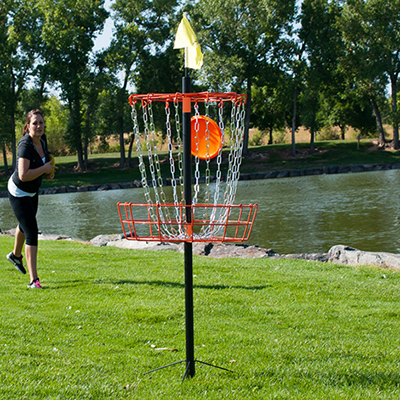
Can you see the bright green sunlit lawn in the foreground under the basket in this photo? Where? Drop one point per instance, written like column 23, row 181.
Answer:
column 288, row 329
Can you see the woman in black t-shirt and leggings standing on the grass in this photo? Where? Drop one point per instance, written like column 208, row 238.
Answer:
column 33, row 161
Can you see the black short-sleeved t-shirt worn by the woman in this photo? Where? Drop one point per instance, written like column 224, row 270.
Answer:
column 26, row 149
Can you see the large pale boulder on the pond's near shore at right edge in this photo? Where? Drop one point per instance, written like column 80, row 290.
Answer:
column 348, row 255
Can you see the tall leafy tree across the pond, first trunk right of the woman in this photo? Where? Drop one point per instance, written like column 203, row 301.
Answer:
column 69, row 28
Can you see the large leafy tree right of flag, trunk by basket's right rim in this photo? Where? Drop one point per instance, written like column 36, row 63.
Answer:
column 244, row 35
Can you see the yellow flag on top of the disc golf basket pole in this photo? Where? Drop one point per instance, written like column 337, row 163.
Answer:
column 186, row 39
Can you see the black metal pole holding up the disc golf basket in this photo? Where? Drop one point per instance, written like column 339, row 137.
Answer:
column 187, row 183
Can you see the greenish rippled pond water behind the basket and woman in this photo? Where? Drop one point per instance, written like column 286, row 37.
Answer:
column 296, row 215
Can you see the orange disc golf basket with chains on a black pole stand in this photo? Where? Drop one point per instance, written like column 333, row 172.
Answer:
column 213, row 137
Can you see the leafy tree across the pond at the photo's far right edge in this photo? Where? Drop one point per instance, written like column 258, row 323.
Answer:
column 371, row 31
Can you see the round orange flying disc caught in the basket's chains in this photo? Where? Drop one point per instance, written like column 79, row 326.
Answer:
column 214, row 134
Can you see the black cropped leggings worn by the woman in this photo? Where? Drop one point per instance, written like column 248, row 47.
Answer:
column 25, row 209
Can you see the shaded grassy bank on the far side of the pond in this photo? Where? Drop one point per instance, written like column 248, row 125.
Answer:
column 104, row 168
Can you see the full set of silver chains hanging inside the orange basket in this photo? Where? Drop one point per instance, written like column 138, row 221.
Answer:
column 213, row 216
